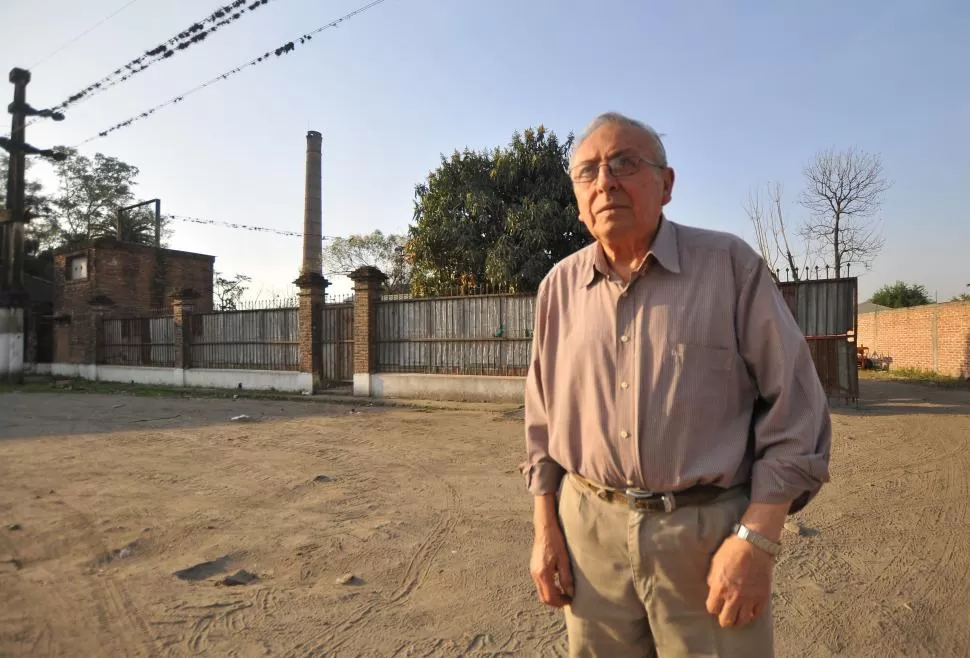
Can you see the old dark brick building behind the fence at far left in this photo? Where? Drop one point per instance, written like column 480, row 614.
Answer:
column 108, row 278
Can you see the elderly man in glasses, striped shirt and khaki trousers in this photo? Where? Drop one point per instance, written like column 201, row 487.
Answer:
column 673, row 404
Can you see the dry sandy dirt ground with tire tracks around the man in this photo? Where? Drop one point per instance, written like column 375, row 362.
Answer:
column 104, row 498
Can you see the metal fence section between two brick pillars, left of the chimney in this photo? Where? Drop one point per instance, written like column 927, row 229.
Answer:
column 266, row 339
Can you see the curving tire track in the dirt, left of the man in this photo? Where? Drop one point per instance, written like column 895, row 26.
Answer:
column 420, row 563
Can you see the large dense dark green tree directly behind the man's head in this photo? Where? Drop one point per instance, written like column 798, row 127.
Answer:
column 502, row 217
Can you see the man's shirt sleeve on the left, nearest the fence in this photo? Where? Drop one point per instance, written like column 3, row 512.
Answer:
column 542, row 473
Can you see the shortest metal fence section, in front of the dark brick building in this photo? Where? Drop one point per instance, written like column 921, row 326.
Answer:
column 137, row 342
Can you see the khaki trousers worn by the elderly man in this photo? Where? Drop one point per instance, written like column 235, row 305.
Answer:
column 641, row 580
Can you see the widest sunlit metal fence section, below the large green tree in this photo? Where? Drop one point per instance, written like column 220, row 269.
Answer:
column 464, row 335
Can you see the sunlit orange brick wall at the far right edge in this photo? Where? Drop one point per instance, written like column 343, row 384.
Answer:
column 933, row 337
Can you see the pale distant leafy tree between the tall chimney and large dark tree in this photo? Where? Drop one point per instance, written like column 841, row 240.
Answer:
column 385, row 252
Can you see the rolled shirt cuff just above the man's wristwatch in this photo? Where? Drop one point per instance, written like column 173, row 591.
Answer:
column 782, row 480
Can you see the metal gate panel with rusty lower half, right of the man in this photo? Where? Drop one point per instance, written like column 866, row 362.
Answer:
column 825, row 310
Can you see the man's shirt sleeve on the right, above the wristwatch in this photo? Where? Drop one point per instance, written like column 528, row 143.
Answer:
column 792, row 427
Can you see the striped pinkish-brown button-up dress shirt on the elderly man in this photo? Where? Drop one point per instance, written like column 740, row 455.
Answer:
column 694, row 372
